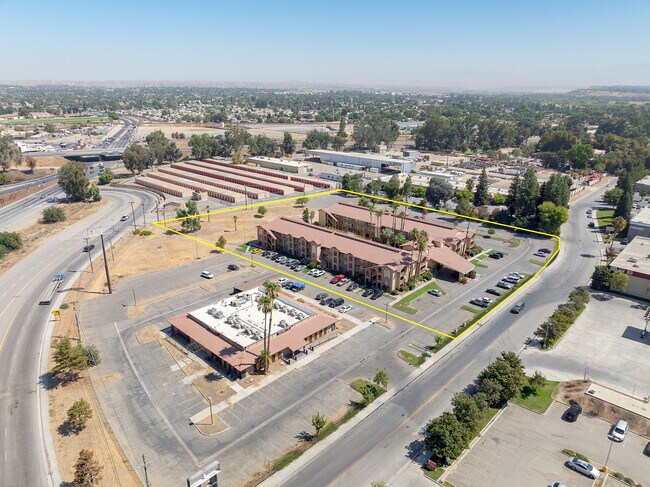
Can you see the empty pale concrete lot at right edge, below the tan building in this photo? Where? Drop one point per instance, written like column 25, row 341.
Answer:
column 613, row 355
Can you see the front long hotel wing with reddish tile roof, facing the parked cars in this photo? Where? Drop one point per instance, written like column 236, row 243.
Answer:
column 373, row 263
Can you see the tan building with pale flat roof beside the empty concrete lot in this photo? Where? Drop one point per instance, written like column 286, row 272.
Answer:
column 634, row 261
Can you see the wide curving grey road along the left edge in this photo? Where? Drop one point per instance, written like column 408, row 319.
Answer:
column 22, row 333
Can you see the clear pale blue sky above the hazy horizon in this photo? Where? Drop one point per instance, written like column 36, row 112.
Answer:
column 489, row 44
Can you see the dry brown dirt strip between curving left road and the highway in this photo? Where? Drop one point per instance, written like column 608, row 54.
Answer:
column 34, row 235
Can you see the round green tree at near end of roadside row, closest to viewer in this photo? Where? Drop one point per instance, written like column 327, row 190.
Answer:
column 447, row 437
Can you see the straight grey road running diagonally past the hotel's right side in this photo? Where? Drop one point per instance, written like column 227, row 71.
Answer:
column 387, row 440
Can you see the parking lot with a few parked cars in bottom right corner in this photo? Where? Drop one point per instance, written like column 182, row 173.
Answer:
column 525, row 448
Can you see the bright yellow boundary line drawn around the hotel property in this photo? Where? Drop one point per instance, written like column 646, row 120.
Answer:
column 161, row 224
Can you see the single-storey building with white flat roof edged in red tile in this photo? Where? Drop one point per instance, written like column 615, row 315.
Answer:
column 230, row 332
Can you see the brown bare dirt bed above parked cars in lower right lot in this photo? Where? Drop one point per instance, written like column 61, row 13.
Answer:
column 575, row 391
